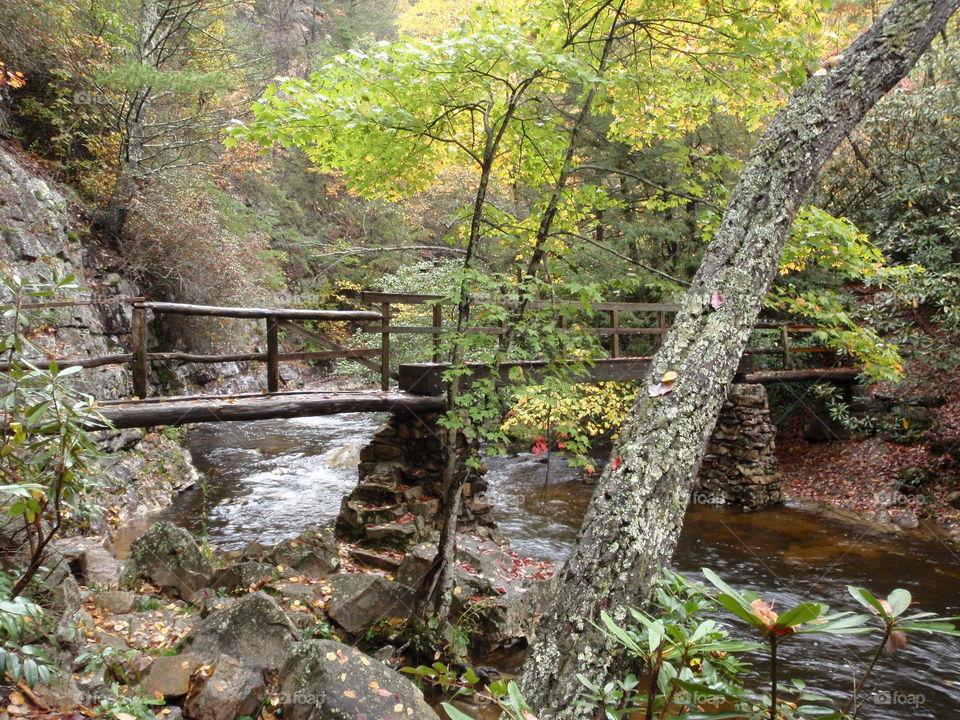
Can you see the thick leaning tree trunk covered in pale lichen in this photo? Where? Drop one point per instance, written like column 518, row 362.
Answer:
column 636, row 512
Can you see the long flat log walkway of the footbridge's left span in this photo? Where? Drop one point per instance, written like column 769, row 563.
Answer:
column 263, row 407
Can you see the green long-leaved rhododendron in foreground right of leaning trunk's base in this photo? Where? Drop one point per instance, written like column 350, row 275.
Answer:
column 694, row 661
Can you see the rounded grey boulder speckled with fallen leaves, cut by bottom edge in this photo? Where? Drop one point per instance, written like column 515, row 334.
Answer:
column 327, row 680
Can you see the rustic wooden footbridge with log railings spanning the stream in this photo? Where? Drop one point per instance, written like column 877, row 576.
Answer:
column 419, row 385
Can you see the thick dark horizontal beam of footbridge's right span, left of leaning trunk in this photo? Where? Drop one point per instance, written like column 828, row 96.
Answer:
column 426, row 378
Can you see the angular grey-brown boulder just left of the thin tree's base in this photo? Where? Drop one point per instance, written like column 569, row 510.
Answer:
column 360, row 600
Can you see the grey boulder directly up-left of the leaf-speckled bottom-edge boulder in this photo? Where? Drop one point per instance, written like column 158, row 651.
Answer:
column 253, row 629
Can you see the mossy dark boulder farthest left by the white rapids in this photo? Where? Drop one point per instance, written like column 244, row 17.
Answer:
column 169, row 557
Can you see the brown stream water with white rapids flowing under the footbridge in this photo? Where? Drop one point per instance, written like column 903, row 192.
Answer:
column 268, row 479
